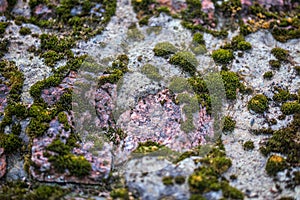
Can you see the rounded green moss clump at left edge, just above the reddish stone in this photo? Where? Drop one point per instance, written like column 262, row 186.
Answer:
column 11, row 143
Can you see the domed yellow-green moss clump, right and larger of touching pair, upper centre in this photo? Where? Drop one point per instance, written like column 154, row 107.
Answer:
column 186, row 61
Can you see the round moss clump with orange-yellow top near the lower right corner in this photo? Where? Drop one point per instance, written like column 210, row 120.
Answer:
column 275, row 164
